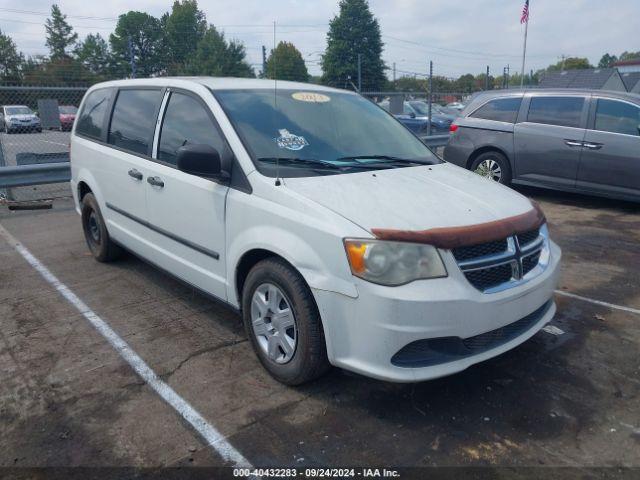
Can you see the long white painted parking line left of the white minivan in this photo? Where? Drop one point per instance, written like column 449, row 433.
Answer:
column 211, row 435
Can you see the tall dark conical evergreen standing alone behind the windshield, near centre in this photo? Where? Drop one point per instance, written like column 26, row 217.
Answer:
column 354, row 31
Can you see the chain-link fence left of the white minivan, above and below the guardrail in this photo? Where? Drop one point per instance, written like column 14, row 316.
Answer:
column 35, row 122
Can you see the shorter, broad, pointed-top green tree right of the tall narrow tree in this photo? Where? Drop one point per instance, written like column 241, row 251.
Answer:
column 215, row 56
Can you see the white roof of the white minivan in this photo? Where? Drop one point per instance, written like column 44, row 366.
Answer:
column 220, row 83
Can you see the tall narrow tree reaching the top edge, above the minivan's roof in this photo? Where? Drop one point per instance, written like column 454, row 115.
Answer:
column 183, row 29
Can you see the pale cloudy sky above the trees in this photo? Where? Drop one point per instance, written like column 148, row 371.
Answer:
column 459, row 37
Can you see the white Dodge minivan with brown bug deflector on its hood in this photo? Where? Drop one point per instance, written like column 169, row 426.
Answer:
column 339, row 236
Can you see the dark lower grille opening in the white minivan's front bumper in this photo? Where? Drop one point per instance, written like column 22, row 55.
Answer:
column 436, row 351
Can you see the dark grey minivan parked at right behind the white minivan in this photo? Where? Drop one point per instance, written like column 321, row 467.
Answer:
column 573, row 140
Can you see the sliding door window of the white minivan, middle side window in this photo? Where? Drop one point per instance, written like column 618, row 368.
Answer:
column 133, row 120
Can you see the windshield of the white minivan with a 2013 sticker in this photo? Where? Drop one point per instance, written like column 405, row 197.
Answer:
column 315, row 131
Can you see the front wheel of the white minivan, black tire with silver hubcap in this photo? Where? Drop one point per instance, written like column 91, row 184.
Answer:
column 308, row 359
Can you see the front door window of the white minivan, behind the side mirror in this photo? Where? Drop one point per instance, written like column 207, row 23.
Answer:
column 186, row 121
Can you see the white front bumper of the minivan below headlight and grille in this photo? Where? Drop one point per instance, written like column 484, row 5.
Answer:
column 364, row 334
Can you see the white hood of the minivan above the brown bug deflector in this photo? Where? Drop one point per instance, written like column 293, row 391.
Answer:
column 413, row 198
